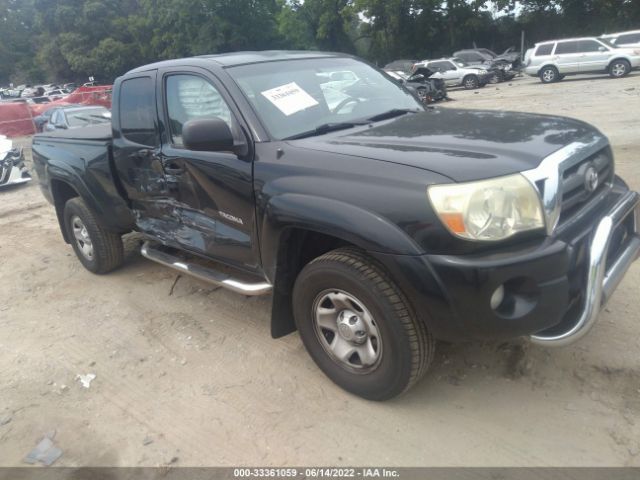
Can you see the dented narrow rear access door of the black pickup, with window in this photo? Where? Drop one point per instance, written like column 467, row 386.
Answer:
column 136, row 152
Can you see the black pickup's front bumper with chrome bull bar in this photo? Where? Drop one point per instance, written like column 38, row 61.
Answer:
column 553, row 289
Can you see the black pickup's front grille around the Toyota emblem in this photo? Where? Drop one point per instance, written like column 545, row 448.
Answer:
column 574, row 182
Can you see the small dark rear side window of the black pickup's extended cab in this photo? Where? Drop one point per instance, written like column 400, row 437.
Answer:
column 138, row 111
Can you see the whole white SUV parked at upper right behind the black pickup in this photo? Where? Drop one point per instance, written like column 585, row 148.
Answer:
column 552, row 60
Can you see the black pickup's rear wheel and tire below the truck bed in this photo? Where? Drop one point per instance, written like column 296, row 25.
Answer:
column 99, row 250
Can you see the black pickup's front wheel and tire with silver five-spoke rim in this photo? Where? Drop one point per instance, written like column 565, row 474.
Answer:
column 357, row 296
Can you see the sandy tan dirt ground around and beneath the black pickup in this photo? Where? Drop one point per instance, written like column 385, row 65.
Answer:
column 188, row 375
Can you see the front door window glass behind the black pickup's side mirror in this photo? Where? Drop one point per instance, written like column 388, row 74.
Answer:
column 190, row 97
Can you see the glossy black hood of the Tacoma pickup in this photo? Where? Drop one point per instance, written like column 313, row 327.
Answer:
column 463, row 145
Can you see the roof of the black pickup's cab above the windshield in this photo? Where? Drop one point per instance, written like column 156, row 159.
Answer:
column 239, row 58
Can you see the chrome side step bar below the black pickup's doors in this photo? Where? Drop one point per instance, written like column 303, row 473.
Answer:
column 209, row 275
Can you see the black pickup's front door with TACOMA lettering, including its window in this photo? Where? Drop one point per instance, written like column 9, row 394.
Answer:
column 213, row 191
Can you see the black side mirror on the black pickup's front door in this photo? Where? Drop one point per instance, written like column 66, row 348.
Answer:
column 207, row 135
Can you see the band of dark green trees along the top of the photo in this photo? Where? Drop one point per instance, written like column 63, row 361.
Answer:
column 55, row 40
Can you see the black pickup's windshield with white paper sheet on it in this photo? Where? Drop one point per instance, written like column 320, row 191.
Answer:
column 296, row 96
